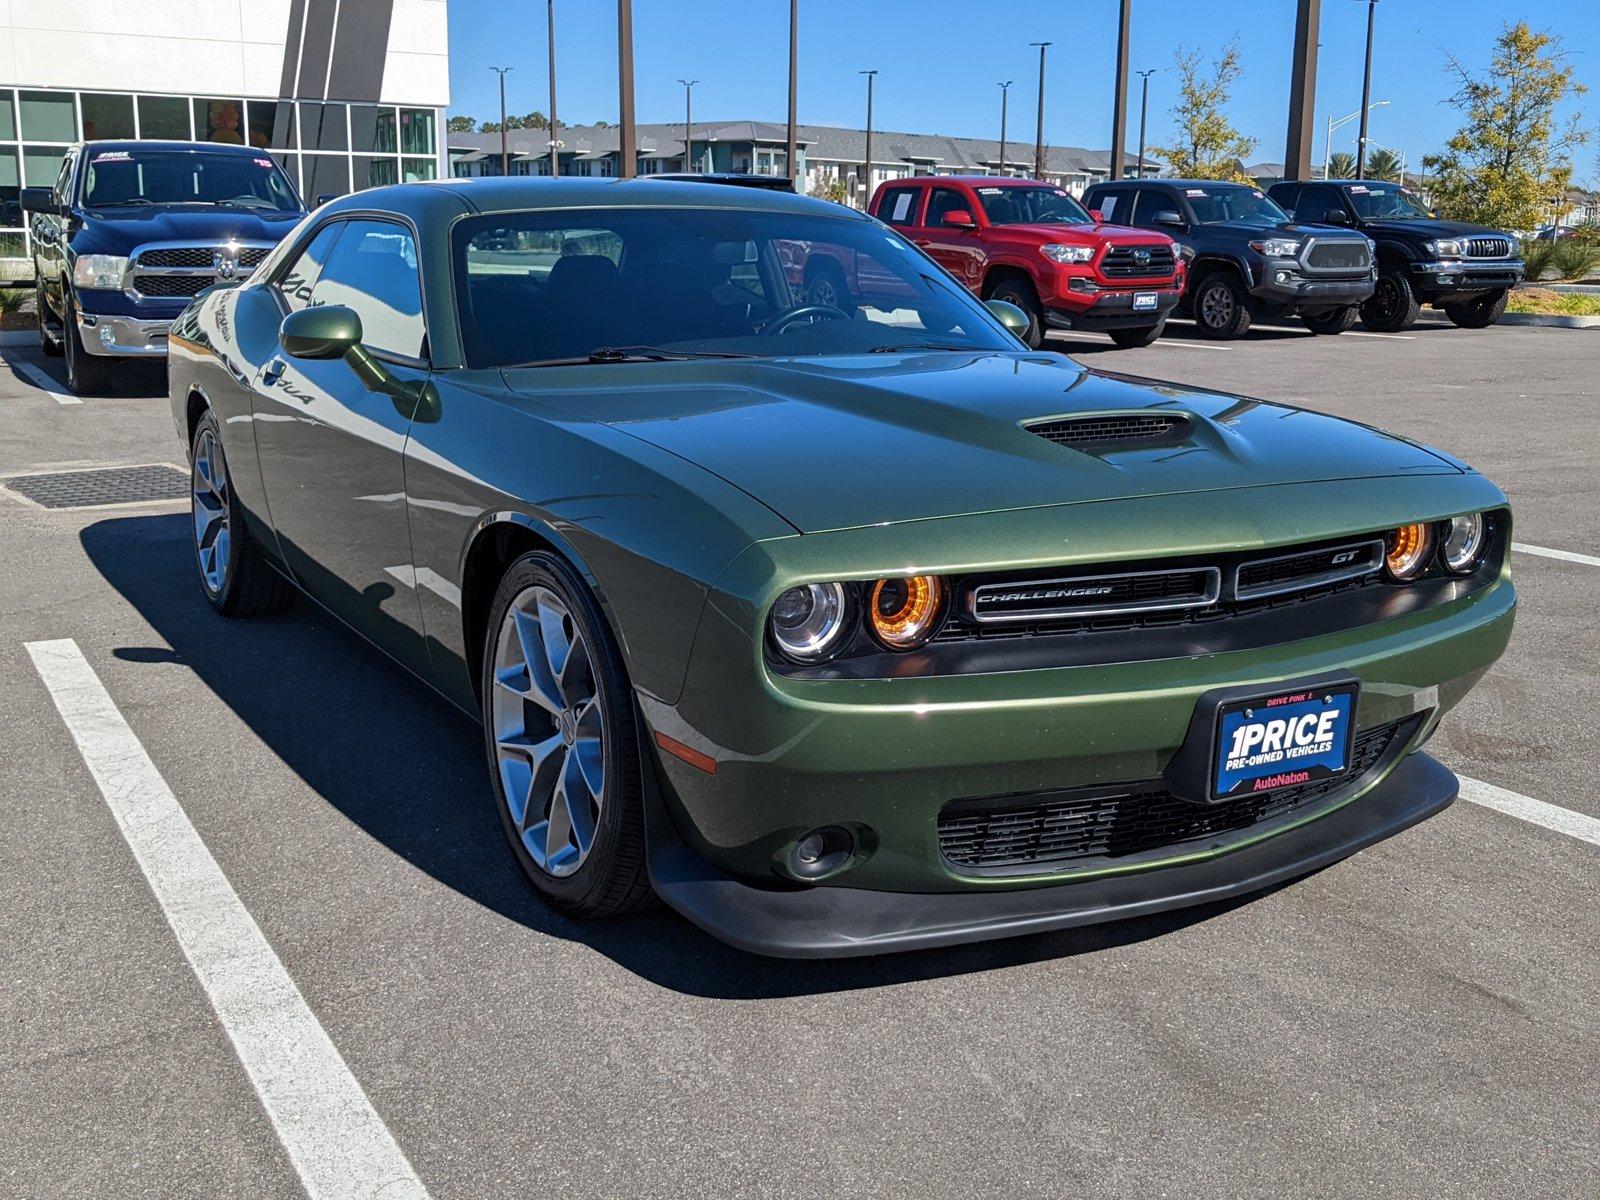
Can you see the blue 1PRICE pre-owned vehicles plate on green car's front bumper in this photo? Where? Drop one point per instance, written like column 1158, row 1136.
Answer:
column 1282, row 740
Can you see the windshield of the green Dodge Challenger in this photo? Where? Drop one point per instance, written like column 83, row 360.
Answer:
column 623, row 284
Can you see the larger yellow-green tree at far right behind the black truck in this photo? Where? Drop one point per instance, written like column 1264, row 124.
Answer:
column 1511, row 156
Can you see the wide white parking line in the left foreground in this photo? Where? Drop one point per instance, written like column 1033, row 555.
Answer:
column 335, row 1138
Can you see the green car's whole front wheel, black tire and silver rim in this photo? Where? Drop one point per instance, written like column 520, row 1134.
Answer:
column 561, row 732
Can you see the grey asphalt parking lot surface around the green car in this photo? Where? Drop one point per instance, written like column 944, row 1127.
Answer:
column 1417, row 1022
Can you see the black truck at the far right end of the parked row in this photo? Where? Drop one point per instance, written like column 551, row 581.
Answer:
column 1463, row 270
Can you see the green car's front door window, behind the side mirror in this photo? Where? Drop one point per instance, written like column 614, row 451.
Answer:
column 374, row 271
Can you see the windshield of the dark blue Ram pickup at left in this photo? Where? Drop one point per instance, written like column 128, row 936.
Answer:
column 186, row 178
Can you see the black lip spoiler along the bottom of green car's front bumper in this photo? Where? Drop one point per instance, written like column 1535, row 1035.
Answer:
column 847, row 922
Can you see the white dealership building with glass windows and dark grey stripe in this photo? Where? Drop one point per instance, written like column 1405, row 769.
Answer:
column 343, row 94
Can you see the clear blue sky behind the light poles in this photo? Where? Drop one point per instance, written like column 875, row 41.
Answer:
column 940, row 60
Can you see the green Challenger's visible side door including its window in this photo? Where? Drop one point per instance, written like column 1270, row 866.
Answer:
column 334, row 452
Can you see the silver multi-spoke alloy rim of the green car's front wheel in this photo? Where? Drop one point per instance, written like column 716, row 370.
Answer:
column 550, row 730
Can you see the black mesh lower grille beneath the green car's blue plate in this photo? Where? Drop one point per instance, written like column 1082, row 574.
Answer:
column 1114, row 823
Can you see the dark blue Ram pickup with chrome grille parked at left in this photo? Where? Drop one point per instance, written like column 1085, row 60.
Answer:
column 132, row 231
